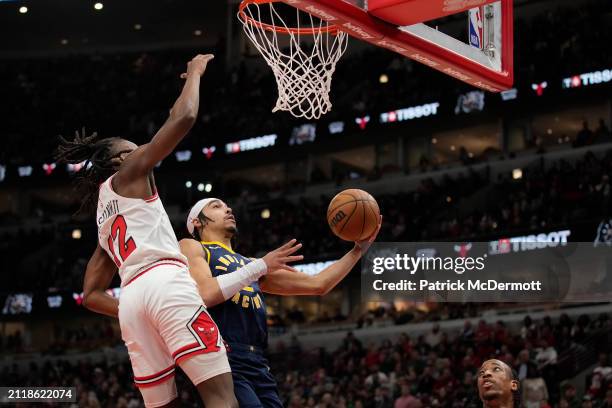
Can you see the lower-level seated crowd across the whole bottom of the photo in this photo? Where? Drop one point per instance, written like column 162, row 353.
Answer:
column 436, row 369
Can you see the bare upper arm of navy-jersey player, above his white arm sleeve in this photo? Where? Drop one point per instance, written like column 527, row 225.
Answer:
column 200, row 272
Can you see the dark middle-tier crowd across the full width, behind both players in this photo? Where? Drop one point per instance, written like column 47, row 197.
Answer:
column 469, row 206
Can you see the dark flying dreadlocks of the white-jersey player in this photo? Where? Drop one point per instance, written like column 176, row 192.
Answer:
column 95, row 154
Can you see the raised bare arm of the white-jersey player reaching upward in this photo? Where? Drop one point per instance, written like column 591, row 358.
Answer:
column 182, row 117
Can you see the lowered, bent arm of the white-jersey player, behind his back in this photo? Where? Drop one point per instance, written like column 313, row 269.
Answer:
column 98, row 277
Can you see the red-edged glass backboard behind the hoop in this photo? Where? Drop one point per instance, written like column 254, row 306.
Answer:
column 484, row 60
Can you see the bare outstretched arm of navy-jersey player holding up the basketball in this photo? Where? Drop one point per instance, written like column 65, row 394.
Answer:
column 288, row 283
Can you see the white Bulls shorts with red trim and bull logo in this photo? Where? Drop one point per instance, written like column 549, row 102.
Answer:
column 163, row 323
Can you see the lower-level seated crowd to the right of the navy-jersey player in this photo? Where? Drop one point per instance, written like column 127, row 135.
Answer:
column 439, row 369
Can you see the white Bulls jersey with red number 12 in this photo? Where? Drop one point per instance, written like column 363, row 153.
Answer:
column 135, row 233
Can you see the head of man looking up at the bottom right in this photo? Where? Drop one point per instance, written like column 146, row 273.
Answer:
column 495, row 384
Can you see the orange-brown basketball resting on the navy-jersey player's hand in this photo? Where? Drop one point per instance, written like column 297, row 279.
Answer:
column 353, row 215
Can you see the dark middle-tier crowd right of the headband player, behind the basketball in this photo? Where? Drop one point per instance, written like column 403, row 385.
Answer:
column 468, row 206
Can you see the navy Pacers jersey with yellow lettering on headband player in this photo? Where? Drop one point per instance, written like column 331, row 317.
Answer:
column 242, row 318
